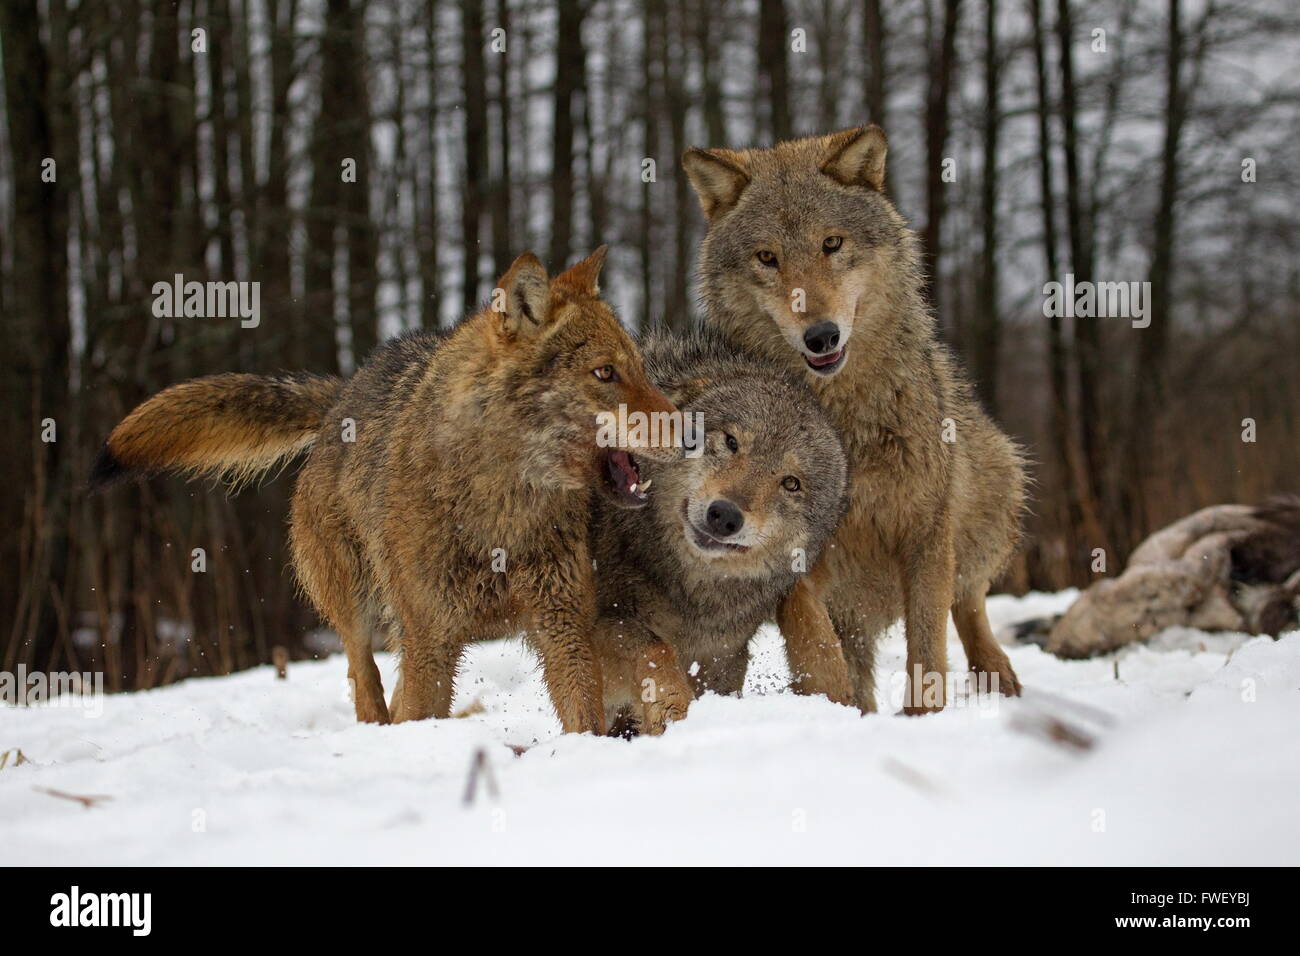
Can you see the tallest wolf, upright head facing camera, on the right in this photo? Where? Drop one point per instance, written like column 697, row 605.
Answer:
column 808, row 262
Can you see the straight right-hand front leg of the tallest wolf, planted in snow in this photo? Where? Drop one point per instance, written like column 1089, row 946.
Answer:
column 928, row 570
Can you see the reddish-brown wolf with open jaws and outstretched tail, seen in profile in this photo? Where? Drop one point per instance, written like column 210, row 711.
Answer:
column 447, row 495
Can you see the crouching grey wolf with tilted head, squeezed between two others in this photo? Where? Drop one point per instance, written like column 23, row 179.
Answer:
column 684, row 583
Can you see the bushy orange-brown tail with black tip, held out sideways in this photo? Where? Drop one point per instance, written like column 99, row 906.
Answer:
column 232, row 427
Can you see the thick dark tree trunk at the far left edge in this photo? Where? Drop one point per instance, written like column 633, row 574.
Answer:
column 34, row 366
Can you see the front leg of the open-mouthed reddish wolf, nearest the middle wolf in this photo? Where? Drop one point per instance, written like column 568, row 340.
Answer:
column 564, row 616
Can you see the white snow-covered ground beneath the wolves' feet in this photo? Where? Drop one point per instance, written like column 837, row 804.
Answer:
column 1194, row 759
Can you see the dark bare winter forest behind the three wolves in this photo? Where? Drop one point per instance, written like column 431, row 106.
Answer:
column 1162, row 149
